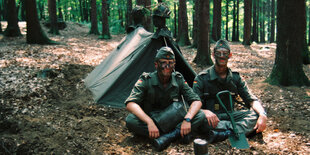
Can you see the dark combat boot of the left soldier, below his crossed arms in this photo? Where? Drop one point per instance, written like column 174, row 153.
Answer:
column 165, row 140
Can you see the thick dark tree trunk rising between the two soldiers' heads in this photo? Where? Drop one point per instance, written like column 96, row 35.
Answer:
column 203, row 56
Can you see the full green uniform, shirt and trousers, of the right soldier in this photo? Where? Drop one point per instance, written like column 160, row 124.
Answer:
column 207, row 84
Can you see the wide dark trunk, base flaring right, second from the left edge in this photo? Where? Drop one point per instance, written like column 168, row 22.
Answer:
column 35, row 34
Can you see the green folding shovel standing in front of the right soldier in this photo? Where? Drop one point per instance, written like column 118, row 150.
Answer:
column 237, row 140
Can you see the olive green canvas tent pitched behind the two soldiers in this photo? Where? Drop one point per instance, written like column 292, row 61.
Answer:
column 112, row 81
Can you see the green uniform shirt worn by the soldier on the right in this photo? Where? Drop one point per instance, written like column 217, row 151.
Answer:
column 207, row 84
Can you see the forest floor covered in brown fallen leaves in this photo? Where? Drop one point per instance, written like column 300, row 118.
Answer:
column 46, row 109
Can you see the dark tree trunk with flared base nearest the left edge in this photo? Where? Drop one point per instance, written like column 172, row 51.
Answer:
column 12, row 30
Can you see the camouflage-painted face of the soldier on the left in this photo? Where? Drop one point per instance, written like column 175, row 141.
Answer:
column 165, row 67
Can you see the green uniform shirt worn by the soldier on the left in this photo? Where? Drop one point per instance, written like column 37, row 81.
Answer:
column 149, row 93
